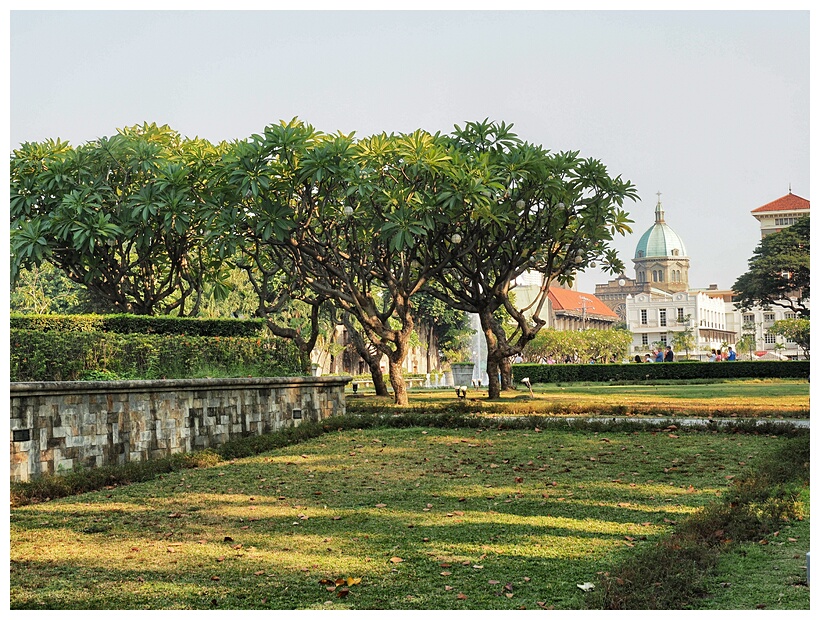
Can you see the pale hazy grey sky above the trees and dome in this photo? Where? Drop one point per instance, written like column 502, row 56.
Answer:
column 711, row 108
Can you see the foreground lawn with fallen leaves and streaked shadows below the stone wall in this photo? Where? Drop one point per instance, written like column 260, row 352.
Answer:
column 416, row 518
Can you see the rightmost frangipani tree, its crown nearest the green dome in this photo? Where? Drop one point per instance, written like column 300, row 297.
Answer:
column 549, row 213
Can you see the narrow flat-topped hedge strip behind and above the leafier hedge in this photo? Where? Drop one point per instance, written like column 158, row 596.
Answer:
column 133, row 324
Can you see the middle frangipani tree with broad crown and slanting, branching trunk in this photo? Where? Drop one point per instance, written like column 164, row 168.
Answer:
column 351, row 221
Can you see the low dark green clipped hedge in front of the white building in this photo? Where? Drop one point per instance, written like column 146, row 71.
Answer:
column 568, row 373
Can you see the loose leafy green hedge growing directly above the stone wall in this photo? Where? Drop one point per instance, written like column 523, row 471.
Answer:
column 75, row 355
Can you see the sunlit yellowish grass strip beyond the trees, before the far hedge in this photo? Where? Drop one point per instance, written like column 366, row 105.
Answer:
column 731, row 398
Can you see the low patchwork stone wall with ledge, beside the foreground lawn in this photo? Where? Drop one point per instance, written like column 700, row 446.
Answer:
column 57, row 426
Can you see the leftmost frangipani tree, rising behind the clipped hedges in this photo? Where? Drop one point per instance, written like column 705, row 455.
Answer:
column 122, row 215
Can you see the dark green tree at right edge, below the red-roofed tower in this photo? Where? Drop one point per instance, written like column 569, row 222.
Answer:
column 779, row 271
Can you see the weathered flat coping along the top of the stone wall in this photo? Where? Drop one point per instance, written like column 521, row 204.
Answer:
column 31, row 388
